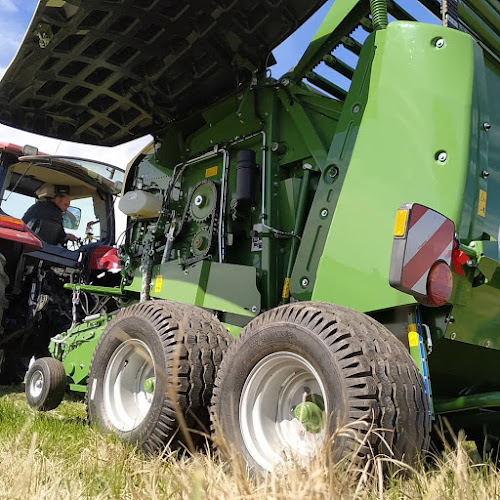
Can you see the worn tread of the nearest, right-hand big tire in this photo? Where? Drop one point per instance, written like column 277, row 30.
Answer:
column 382, row 382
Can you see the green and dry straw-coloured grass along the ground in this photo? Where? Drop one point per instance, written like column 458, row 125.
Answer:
column 57, row 455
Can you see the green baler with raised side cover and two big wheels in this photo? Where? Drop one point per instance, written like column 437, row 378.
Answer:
column 275, row 211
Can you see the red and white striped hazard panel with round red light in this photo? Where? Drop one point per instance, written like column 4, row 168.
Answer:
column 421, row 254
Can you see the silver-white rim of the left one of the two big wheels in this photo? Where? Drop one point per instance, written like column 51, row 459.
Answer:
column 129, row 373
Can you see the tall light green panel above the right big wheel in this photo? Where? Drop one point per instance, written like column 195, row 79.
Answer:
column 419, row 104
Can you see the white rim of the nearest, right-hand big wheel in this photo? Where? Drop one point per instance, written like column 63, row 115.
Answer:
column 271, row 430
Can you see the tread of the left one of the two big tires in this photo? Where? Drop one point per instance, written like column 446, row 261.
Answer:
column 193, row 342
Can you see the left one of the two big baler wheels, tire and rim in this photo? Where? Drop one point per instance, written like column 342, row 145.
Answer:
column 152, row 374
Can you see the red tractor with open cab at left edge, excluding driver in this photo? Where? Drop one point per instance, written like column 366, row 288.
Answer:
column 34, row 305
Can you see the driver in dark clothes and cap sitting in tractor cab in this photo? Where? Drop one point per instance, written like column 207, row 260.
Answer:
column 45, row 219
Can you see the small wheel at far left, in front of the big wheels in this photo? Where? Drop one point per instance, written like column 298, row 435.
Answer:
column 45, row 384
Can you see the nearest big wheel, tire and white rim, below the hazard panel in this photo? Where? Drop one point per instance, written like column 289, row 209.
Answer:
column 304, row 372
